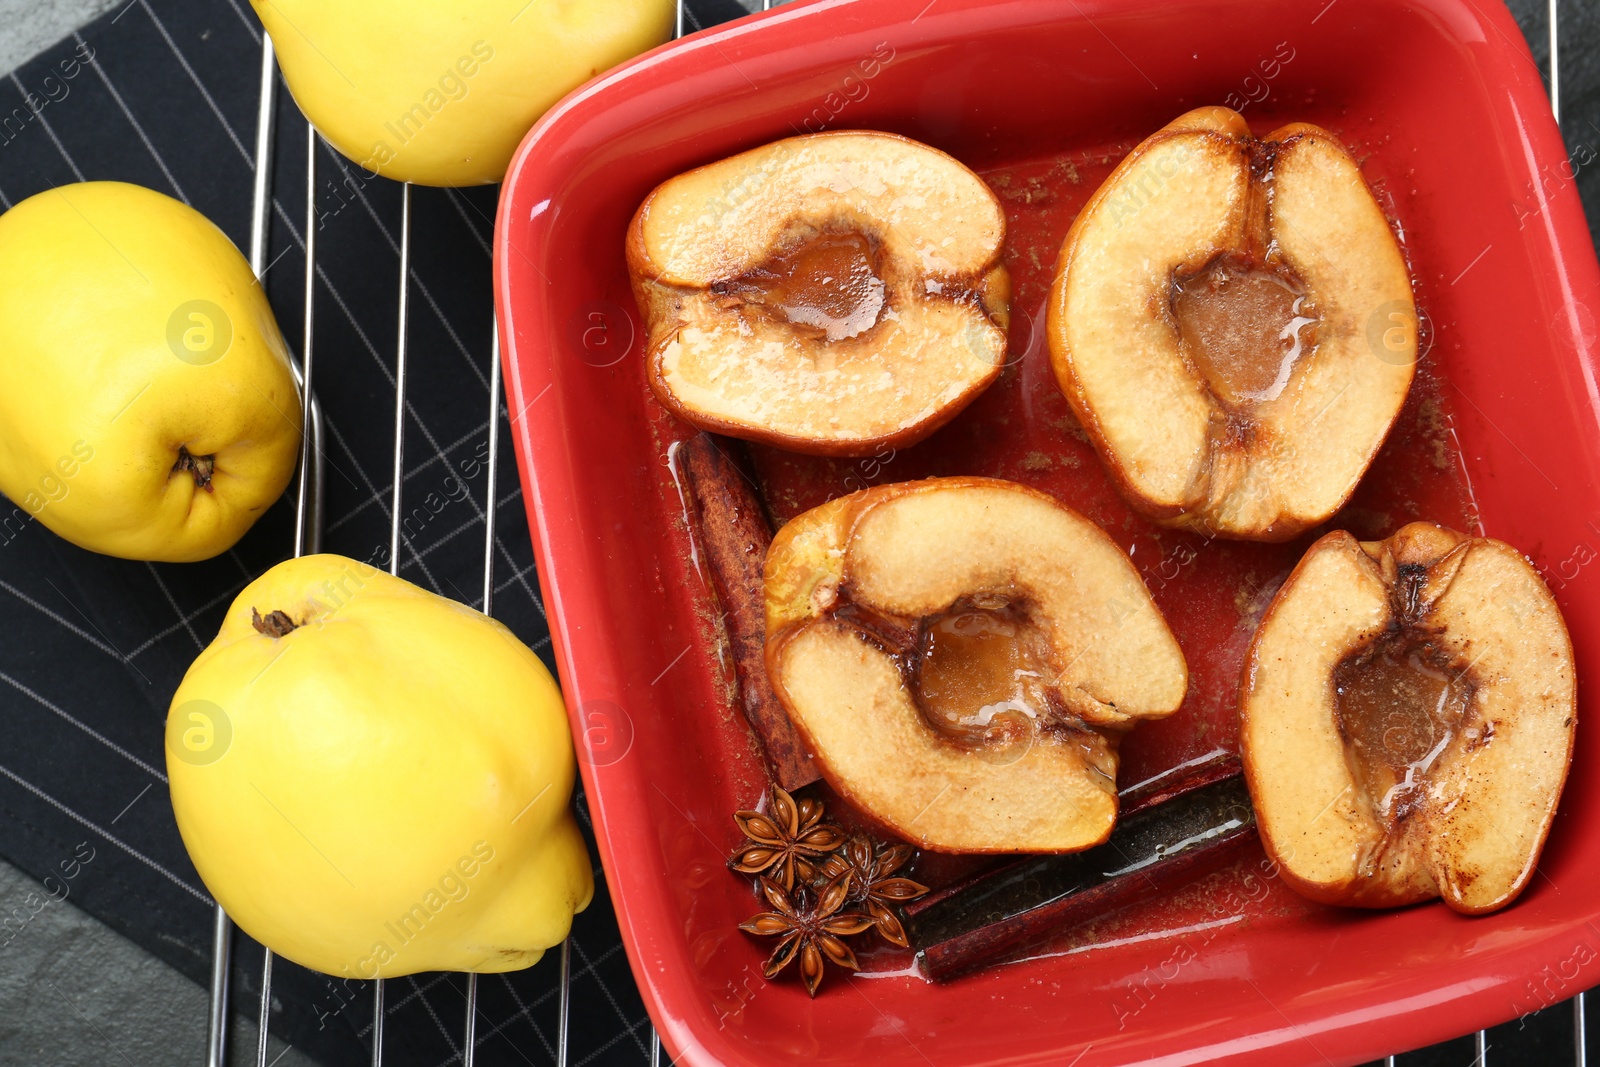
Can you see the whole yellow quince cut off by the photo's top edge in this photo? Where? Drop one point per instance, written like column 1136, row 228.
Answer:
column 442, row 92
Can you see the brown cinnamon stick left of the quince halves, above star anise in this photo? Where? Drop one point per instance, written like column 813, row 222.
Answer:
column 735, row 537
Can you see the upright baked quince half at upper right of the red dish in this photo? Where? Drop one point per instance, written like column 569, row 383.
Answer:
column 1233, row 324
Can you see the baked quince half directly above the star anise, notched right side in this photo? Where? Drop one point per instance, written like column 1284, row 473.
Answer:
column 962, row 657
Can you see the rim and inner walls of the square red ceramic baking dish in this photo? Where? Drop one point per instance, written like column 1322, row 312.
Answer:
column 1444, row 106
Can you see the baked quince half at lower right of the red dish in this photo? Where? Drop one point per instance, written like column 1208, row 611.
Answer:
column 1407, row 721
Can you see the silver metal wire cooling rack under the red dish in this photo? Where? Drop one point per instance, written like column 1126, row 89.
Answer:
column 308, row 538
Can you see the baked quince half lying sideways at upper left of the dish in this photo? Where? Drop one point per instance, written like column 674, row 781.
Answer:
column 826, row 294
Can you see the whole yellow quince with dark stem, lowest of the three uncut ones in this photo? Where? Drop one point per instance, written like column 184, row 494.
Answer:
column 377, row 781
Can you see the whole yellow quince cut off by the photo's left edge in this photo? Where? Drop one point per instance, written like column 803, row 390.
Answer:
column 148, row 409
